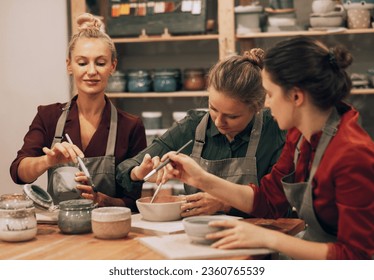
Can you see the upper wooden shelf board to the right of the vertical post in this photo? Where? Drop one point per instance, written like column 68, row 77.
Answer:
column 337, row 31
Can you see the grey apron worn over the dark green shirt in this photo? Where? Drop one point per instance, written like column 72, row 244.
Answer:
column 237, row 170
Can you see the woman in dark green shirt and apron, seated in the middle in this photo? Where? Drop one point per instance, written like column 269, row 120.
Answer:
column 236, row 140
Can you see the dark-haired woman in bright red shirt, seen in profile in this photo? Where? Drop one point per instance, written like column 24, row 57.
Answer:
column 325, row 170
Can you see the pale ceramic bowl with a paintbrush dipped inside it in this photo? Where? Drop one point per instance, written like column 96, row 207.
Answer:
column 163, row 208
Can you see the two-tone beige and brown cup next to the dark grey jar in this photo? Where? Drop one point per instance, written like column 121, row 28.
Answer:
column 111, row 222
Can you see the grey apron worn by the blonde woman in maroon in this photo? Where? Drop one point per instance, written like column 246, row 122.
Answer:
column 102, row 169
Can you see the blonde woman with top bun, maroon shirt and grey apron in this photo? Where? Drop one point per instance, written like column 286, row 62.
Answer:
column 102, row 135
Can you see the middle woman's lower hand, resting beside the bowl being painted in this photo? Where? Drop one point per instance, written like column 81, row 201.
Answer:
column 202, row 203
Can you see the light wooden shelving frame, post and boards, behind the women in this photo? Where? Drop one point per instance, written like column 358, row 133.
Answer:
column 227, row 43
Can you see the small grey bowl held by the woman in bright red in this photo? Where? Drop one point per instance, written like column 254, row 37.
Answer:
column 197, row 227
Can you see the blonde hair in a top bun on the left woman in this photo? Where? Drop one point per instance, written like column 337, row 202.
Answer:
column 90, row 26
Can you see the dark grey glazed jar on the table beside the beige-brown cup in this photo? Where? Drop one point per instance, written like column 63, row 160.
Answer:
column 74, row 216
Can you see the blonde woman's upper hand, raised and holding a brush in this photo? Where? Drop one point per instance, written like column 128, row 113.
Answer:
column 62, row 153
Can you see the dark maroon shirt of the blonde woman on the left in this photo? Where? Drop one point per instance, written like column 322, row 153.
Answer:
column 130, row 139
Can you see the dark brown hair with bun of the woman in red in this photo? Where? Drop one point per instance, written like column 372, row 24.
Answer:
column 308, row 64
